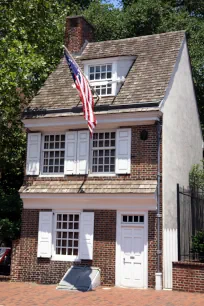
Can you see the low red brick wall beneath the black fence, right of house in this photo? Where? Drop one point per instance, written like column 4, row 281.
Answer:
column 188, row 276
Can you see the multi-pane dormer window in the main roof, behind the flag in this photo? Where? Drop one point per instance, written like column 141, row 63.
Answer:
column 99, row 76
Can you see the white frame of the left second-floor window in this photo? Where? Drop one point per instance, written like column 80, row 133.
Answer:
column 54, row 174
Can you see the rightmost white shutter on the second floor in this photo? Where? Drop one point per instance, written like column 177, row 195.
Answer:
column 123, row 150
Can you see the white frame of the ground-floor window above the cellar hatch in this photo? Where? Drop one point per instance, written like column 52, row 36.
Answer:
column 58, row 257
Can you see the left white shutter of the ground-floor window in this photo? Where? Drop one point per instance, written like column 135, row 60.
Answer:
column 45, row 234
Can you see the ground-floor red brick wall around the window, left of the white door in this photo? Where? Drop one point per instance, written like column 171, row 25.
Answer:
column 27, row 267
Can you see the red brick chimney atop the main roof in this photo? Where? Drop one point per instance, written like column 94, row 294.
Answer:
column 77, row 31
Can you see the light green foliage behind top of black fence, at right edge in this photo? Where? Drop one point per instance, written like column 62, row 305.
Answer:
column 196, row 177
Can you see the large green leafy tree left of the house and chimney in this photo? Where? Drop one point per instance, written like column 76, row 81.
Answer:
column 31, row 37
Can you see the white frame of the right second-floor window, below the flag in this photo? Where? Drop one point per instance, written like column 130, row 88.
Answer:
column 91, row 155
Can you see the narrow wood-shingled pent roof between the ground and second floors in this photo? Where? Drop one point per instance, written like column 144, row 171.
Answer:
column 91, row 187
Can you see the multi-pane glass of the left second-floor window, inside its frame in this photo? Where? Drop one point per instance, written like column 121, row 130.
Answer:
column 53, row 153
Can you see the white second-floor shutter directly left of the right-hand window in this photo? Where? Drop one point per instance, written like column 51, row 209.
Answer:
column 83, row 152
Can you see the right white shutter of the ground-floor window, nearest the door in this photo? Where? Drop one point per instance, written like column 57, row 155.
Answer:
column 86, row 235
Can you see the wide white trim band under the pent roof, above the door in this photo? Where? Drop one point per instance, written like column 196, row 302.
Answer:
column 138, row 202
